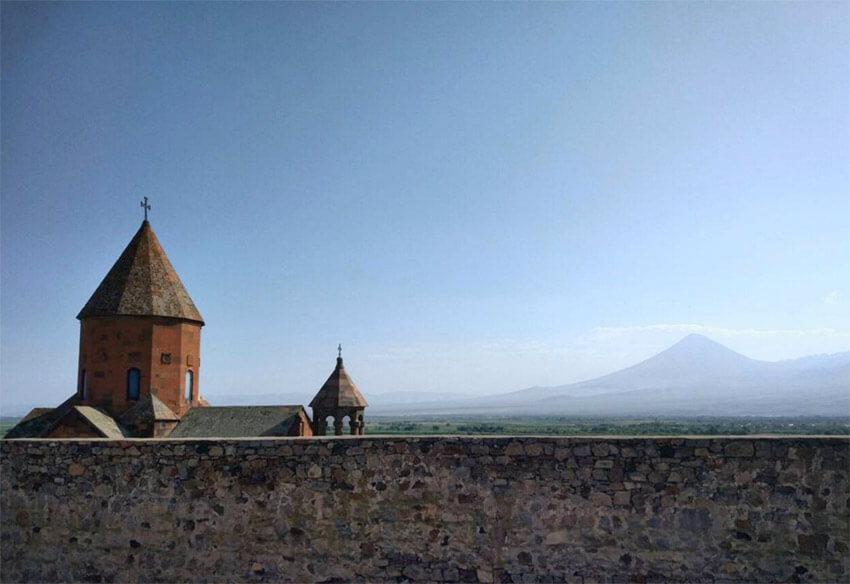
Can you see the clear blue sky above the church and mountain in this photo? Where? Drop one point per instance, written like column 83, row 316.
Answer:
column 472, row 198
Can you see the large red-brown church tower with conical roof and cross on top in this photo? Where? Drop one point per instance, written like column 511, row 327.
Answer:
column 140, row 333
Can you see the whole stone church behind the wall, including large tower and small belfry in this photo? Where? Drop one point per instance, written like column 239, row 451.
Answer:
column 139, row 369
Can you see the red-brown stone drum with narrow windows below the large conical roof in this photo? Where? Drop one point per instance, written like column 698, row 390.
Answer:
column 111, row 346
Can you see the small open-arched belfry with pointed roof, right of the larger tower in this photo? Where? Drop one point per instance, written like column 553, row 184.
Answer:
column 339, row 398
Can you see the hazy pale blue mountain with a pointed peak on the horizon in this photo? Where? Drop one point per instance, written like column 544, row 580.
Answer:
column 696, row 376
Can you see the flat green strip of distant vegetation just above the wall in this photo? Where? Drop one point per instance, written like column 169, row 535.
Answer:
column 581, row 426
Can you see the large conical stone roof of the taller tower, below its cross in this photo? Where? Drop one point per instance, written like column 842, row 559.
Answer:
column 142, row 283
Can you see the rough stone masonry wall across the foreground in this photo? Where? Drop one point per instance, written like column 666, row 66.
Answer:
column 421, row 508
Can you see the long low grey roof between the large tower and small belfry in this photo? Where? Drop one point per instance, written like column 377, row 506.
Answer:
column 239, row 421
